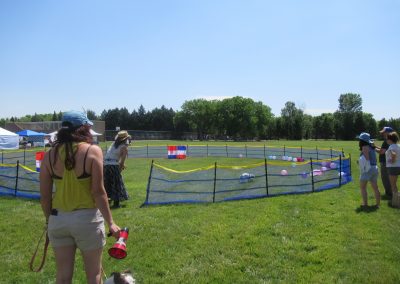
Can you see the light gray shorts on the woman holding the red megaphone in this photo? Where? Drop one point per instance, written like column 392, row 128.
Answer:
column 83, row 228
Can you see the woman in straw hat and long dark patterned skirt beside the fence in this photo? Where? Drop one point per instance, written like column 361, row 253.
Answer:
column 114, row 164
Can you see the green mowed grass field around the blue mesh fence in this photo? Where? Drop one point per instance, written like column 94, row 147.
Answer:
column 309, row 238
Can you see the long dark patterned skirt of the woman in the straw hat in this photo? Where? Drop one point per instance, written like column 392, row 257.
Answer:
column 114, row 184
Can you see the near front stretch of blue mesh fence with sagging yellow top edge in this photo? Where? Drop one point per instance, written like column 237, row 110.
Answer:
column 218, row 183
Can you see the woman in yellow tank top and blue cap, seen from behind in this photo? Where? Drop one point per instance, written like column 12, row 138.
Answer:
column 77, row 210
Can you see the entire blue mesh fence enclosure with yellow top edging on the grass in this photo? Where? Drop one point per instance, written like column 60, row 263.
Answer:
column 24, row 181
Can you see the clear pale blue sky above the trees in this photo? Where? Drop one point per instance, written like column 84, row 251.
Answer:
column 99, row 55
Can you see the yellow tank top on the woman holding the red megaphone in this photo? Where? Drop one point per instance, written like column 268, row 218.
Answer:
column 72, row 192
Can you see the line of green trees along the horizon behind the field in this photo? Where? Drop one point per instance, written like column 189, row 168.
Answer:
column 240, row 118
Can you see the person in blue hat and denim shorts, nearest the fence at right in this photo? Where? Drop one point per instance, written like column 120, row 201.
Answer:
column 368, row 151
